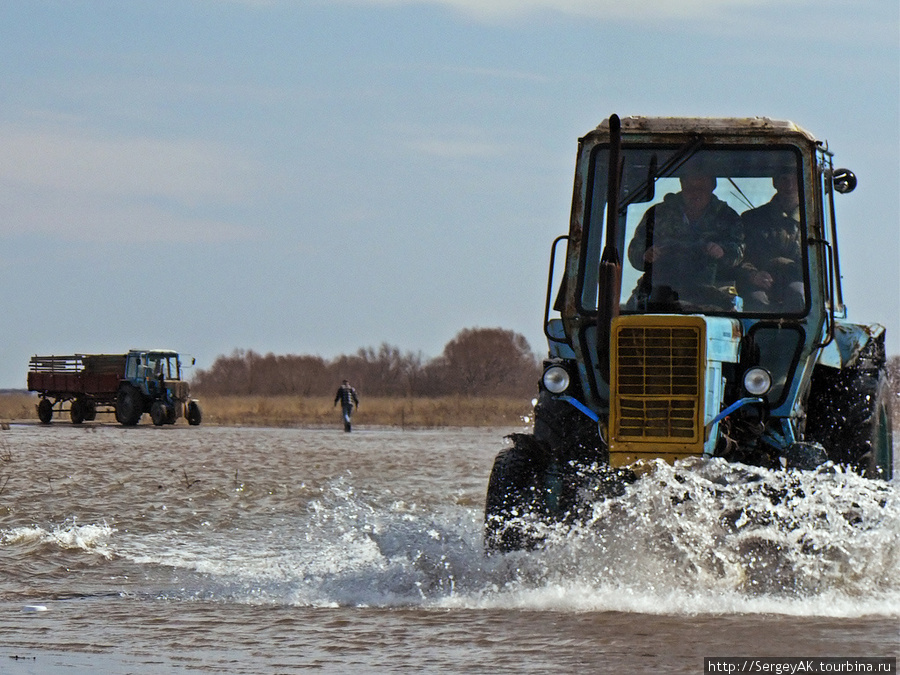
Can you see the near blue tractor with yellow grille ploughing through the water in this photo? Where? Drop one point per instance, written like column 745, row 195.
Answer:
column 699, row 314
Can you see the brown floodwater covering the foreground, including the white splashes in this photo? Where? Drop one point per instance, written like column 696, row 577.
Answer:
column 211, row 550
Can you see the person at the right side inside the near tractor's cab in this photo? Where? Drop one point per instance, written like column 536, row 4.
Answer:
column 771, row 273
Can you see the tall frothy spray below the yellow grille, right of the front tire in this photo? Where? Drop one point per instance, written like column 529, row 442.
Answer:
column 708, row 536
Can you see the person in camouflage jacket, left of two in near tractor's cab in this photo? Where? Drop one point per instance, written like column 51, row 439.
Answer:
column 688, row 247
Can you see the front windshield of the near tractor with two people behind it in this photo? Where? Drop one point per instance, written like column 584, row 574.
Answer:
column 702, row 229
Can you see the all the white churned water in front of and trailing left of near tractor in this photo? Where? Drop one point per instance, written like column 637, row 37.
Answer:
column 699, row 537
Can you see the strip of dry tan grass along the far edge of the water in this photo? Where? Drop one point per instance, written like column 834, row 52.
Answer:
column 271, row 411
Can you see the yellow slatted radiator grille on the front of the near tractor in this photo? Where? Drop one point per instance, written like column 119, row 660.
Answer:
column 658, row 372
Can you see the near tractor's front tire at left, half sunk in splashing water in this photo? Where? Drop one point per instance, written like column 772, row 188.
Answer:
column 516, row 502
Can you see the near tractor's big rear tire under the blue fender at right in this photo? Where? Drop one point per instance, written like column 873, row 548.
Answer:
column 849, row 413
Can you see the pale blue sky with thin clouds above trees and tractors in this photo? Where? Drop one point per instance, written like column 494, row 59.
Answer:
column 314, row 177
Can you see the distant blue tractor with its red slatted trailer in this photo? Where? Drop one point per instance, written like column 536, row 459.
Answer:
column 128, row 385
